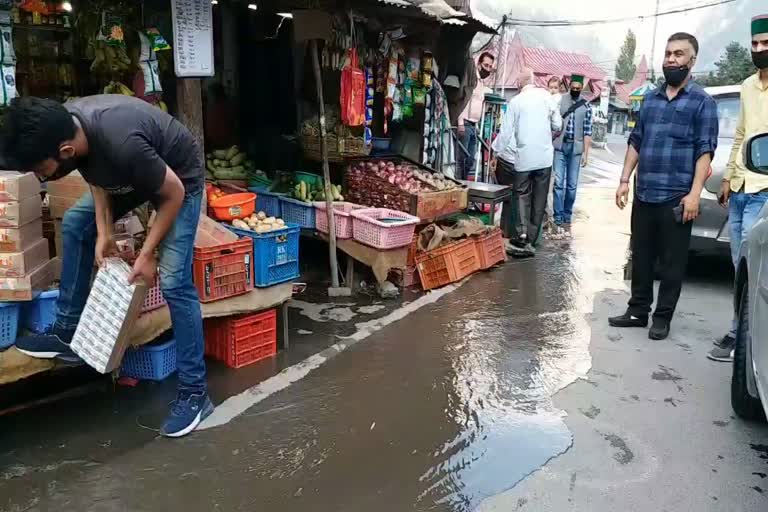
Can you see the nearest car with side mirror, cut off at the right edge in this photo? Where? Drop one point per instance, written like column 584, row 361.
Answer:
column 749, row 385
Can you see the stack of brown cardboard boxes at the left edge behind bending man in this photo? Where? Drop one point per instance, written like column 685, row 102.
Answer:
column 25, row 264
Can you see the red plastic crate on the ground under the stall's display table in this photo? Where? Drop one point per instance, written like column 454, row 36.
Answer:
column 243, row 339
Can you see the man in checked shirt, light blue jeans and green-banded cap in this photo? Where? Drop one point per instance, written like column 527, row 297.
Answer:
column 571, row 152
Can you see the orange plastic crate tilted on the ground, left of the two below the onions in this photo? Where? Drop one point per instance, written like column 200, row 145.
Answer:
column 447, row 264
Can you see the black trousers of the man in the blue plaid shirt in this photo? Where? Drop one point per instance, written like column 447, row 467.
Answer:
column 657, row 236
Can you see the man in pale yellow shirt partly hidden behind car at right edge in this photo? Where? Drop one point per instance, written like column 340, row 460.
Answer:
column 742, row 191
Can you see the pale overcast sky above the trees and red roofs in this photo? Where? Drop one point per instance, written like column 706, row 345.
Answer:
column 715, row 27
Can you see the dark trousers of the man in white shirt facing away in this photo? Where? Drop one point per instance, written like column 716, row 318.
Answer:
column 530, row 197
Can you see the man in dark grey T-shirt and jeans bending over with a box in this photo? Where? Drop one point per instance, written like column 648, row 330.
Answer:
column 130, row 153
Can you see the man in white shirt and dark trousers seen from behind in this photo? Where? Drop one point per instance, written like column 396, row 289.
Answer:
column 524, row 155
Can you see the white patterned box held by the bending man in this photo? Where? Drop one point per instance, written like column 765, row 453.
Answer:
column 103, row 333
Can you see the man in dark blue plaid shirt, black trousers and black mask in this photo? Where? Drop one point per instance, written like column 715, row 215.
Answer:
column 672, row 145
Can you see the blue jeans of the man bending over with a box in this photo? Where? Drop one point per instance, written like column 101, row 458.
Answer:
column 175, row 270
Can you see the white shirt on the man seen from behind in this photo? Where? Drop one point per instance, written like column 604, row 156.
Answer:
column 525, row 137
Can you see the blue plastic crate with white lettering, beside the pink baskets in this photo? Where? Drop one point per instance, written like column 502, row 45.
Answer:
column 276, row 254
